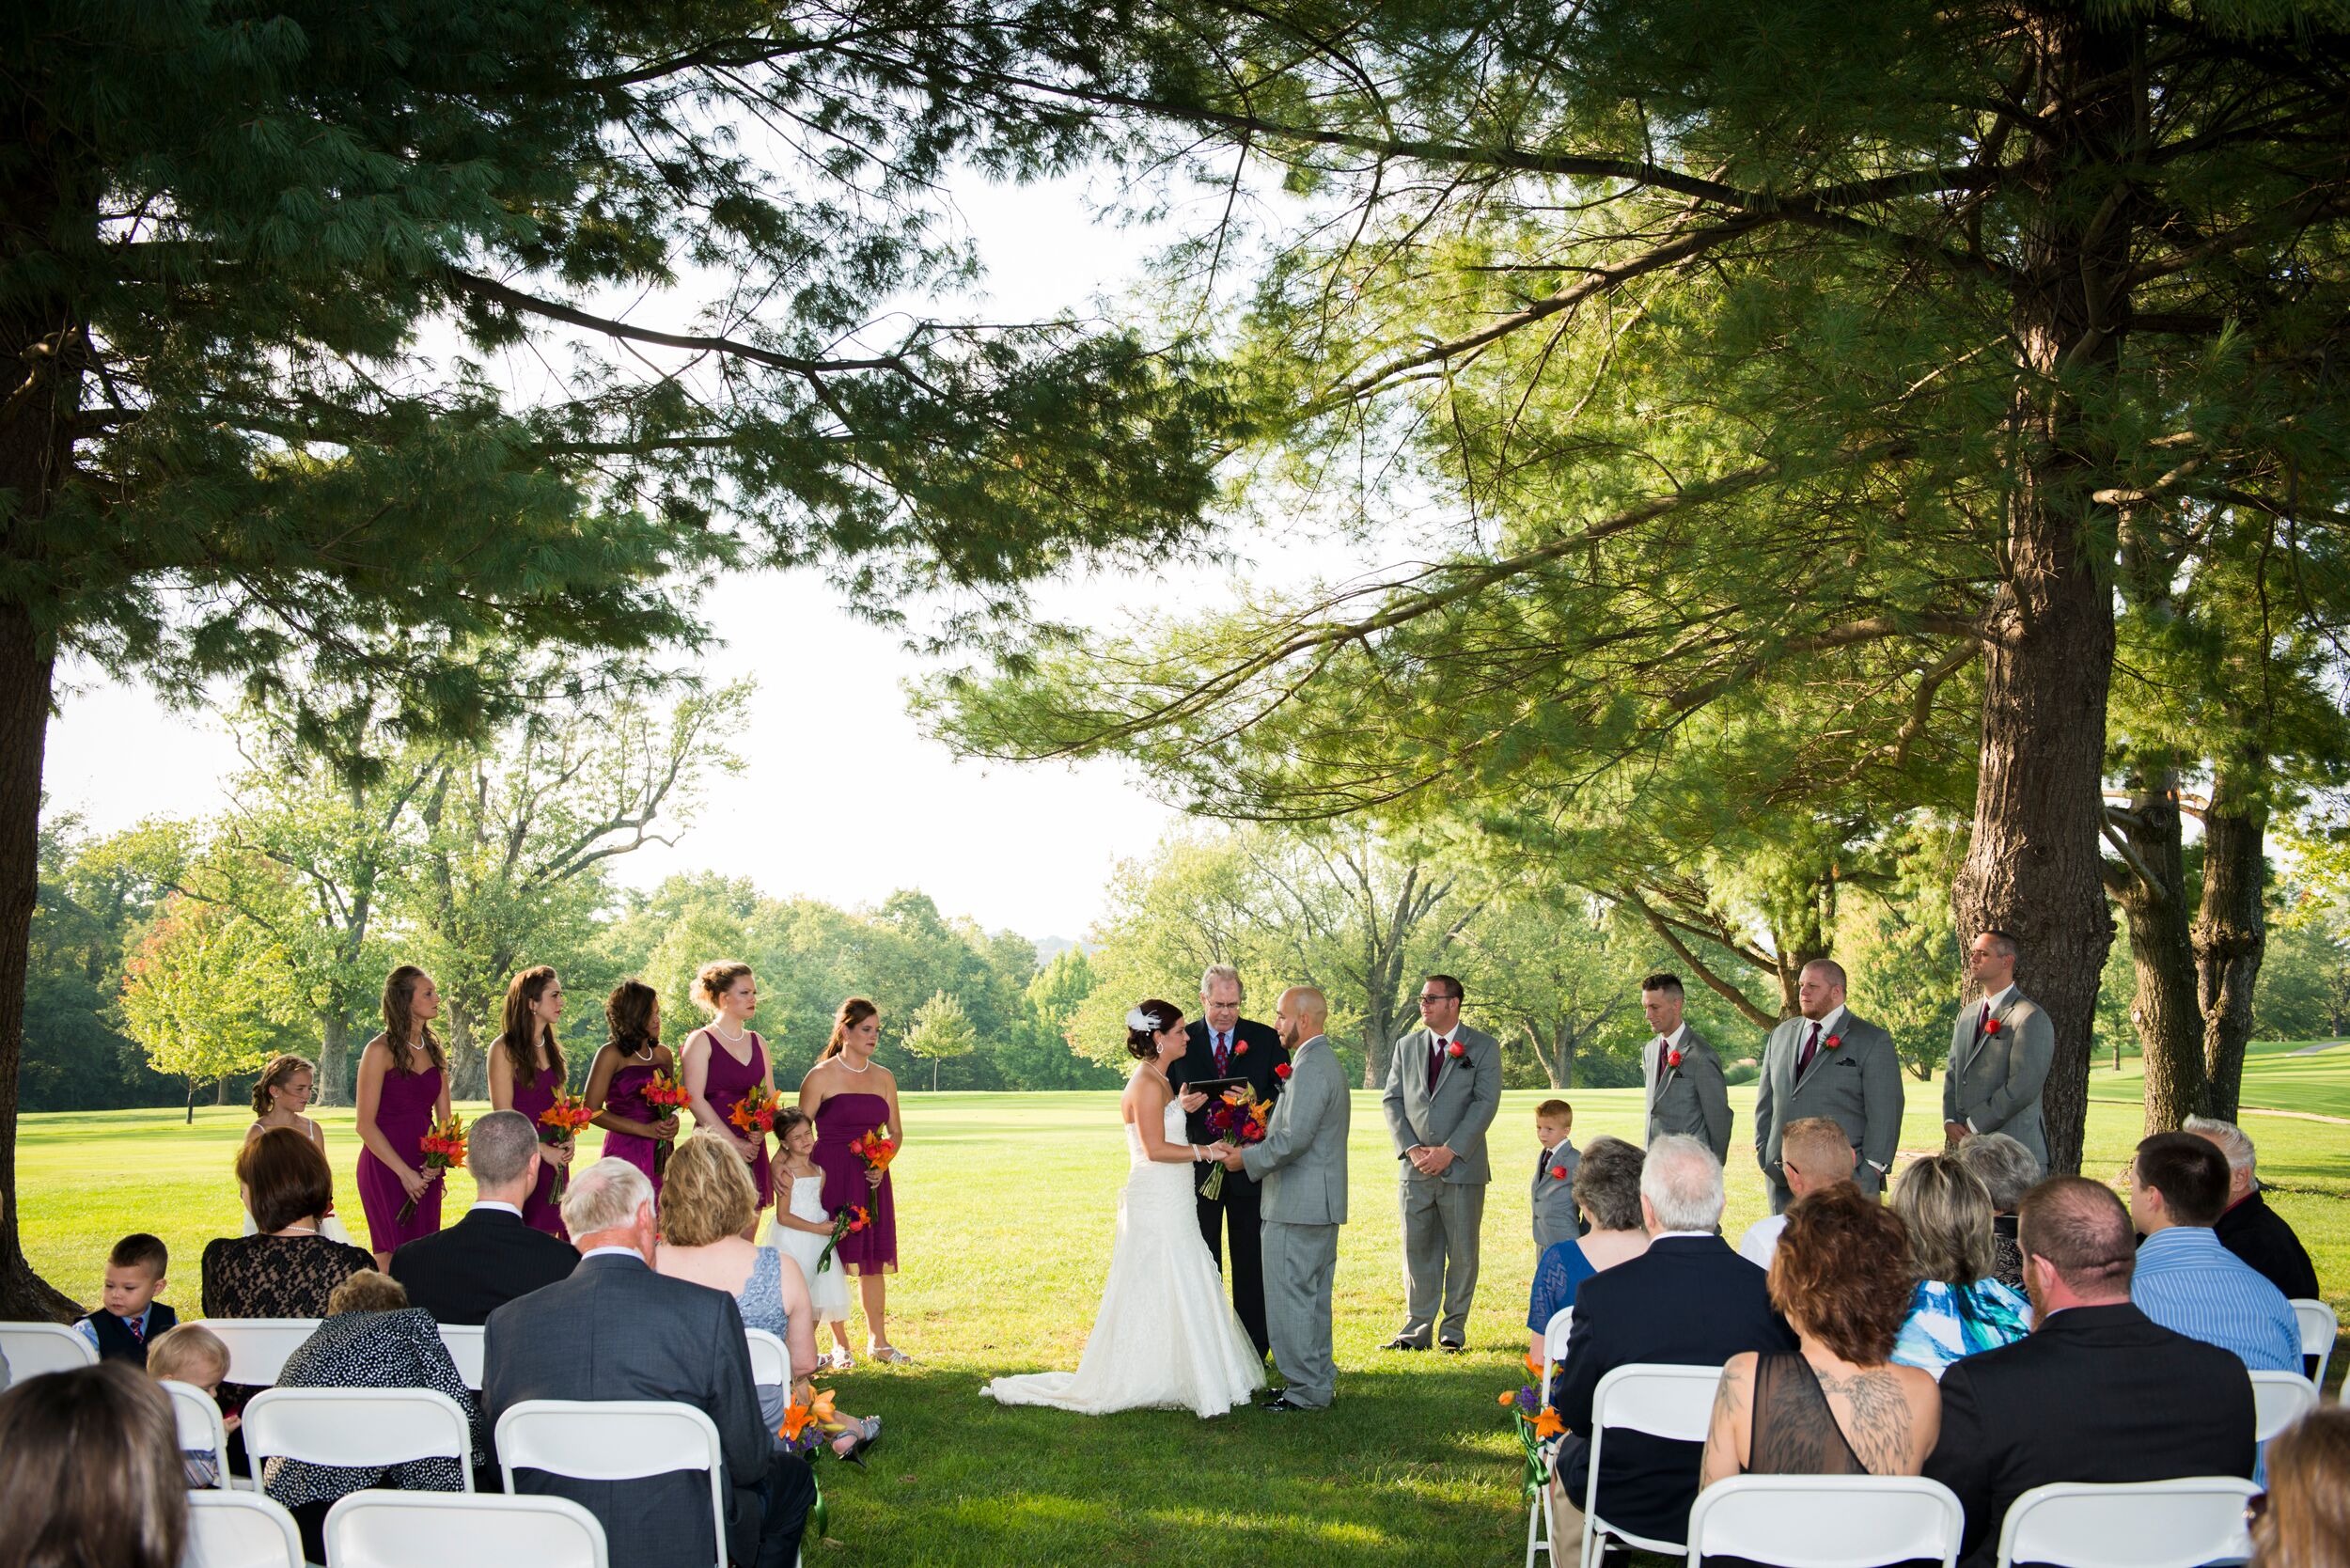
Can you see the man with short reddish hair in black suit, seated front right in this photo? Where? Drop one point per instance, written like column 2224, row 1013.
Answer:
column 2097, row 1393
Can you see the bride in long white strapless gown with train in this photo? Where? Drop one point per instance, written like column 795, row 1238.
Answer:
column 1164, row 1334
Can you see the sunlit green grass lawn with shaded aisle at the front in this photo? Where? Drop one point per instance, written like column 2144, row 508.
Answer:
column 1007, row 1209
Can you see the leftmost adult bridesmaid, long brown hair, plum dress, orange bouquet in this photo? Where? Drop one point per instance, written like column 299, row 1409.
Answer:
column 403, row 1094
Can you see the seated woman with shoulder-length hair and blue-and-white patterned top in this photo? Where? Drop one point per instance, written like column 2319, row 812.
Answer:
column 1959, row 1308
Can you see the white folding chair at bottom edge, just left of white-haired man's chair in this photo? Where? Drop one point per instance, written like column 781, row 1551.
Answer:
column 462, row 1532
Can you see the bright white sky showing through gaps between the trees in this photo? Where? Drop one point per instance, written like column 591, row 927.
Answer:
column 842, row 798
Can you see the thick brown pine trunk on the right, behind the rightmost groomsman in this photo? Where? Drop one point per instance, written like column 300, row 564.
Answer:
column 2048, row 662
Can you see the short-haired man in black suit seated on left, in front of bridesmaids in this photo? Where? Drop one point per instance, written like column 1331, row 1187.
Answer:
column 488, row 1259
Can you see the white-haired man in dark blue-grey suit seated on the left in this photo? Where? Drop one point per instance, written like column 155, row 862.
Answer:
column 622, row 1332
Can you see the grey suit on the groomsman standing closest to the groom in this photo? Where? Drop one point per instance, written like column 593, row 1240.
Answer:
column 1442, row 1214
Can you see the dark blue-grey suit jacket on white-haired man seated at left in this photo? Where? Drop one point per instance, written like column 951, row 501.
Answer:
column 622, row 1332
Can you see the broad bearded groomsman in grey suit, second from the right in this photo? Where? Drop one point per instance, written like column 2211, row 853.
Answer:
column 1834, row 1064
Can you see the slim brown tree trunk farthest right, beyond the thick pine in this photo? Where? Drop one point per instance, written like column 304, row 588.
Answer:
column 2231, row 927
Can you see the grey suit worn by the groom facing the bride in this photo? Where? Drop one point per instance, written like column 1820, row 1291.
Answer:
column 1303, row 1165
